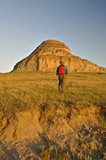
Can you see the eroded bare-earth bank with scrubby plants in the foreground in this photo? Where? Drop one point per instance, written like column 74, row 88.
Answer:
column 50, row 132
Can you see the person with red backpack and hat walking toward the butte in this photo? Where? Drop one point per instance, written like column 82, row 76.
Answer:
column 61, row 75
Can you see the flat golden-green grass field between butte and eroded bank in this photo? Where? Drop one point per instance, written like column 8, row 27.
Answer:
column 25, row 90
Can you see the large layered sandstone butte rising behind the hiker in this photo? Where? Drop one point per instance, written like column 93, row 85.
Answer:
column 47, row 55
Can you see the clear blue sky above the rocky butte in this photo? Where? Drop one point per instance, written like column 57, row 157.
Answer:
column 24, row 24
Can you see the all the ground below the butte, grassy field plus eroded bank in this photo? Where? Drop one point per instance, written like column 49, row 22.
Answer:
column 39, row 123
